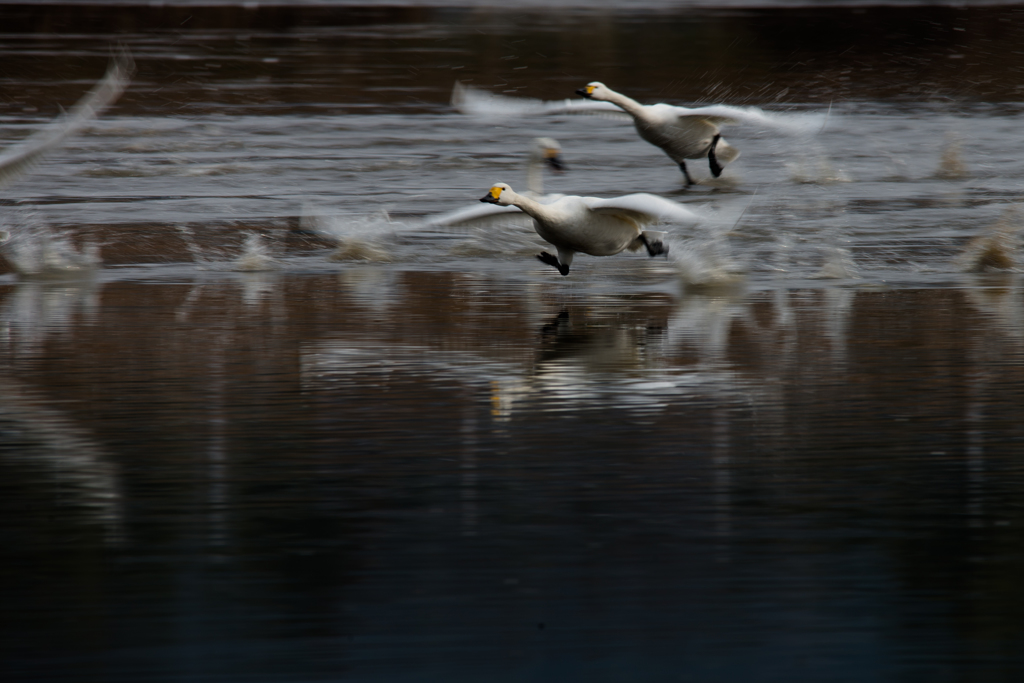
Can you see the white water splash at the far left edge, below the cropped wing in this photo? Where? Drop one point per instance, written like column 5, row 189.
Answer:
column 35, row 250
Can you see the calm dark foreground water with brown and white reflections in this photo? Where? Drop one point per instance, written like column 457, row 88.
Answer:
column 449, row 454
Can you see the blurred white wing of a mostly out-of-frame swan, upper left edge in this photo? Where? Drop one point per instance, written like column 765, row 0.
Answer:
column 30, row 152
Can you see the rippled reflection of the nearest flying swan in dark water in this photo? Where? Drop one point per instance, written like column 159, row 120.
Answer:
column 625, row 358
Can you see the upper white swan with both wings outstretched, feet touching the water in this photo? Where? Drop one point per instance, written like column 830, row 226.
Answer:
column 682, row 133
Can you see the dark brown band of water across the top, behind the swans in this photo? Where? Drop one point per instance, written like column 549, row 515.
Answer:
column 200, row 59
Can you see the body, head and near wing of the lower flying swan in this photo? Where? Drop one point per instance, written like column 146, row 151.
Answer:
column 591, row 226
